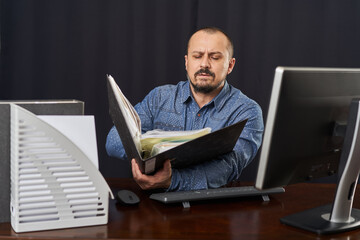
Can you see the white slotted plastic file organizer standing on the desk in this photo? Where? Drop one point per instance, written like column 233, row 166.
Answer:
column 53, row 183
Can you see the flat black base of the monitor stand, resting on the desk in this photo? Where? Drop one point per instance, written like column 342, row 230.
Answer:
column 313, row 220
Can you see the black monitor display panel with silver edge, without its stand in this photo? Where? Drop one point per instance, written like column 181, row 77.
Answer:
column 305, row 125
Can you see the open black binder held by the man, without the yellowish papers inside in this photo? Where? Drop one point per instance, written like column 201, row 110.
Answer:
column 191, row 152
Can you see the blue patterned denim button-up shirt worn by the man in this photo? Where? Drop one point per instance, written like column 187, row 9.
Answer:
column 172, row 107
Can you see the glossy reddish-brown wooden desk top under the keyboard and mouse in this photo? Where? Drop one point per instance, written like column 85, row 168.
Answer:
column 245, row 218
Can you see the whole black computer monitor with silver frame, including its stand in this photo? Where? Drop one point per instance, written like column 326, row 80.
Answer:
column 311, row 131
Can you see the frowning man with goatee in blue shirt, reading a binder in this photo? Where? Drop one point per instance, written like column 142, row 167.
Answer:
column 205, row 100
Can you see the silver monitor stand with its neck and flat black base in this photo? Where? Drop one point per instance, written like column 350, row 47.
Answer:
column 339, row 216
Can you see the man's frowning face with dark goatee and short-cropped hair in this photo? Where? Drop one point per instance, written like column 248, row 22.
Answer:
column 208, row 61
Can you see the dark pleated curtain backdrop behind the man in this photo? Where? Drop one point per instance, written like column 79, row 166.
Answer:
column 62, row 49
